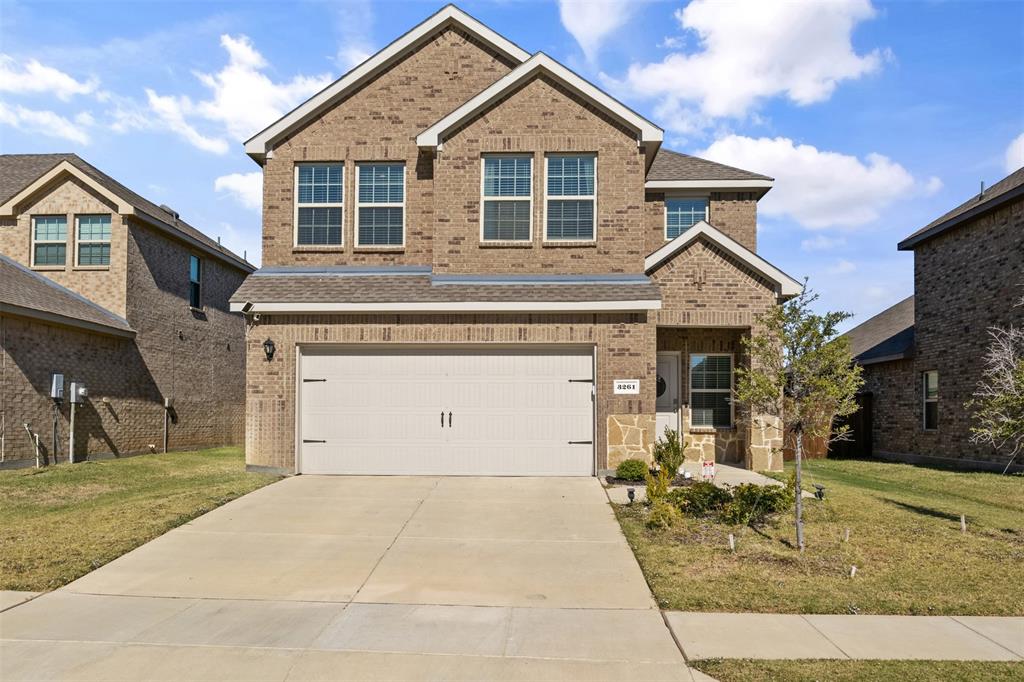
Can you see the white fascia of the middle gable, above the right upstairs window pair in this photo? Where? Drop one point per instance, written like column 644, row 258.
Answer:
column 649, row 133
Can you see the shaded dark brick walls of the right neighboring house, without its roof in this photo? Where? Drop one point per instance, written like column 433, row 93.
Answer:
column 966, row 281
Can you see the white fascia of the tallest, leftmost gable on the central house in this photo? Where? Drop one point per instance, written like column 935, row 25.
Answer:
column 259, row 146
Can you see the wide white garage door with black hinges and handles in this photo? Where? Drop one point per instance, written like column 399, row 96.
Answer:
column 447, row 411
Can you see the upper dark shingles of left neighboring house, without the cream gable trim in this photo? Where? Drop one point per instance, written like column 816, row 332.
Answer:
column 20, row 170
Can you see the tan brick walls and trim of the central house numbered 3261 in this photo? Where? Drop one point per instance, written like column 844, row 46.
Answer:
column 709, row 293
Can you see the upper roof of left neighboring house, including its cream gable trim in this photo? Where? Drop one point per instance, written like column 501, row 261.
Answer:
column 24, row 175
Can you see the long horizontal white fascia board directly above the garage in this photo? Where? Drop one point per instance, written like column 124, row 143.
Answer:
column 456, row 307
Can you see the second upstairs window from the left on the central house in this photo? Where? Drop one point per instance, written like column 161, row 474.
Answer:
column 380, row 205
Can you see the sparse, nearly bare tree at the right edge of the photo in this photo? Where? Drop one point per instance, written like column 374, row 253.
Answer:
column 999, row 400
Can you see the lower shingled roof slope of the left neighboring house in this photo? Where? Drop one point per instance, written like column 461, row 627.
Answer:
column 31, row 295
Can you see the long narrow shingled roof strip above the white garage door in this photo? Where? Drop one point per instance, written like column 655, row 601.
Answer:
column 348, row 288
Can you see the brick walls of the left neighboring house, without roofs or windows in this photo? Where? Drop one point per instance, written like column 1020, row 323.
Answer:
column 197, row 359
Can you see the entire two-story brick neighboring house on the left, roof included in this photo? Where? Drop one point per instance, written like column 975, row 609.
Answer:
column 101, row 286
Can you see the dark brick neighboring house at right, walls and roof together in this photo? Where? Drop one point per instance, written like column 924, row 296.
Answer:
column 923, row 358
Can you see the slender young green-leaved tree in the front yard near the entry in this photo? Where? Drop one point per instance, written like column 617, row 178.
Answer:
column 802, row 376
